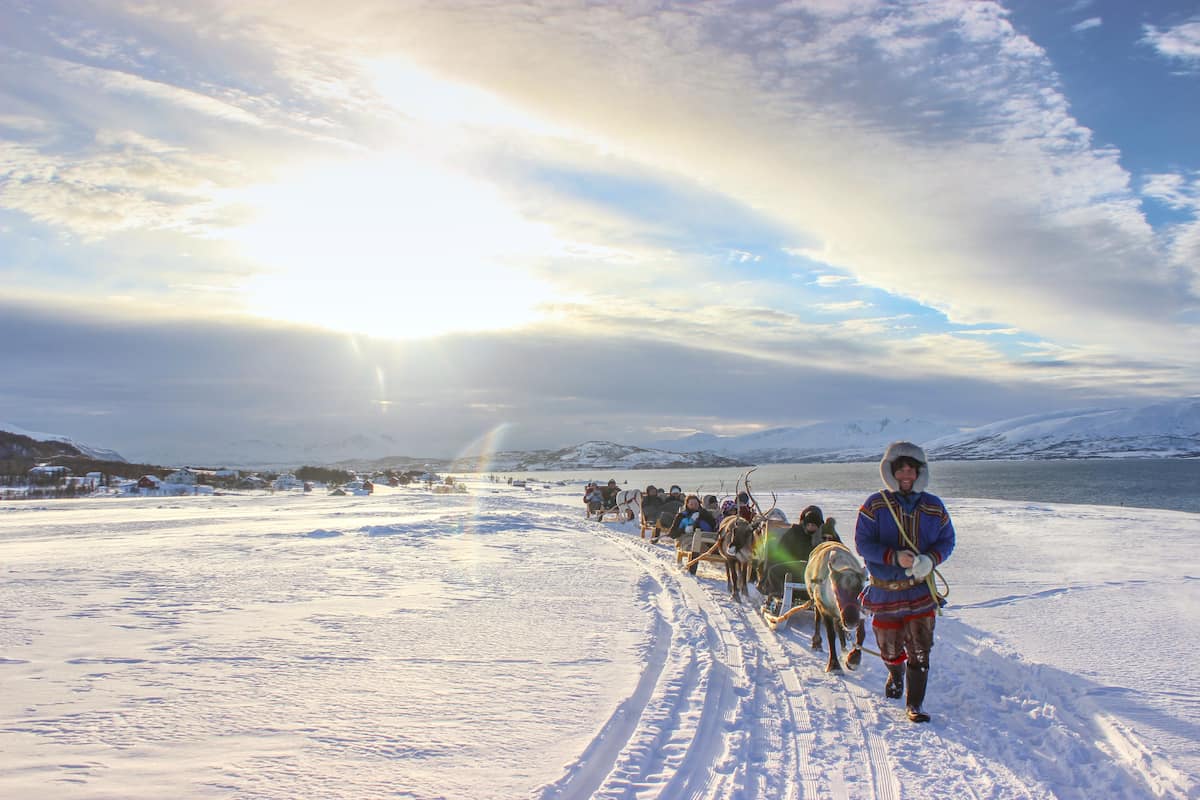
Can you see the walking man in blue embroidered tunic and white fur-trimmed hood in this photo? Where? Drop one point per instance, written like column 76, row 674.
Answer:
column 903, row 533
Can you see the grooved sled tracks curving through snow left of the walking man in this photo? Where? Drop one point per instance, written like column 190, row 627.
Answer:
column 727, row 708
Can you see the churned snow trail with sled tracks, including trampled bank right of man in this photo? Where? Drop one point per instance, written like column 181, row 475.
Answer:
column 742, row 712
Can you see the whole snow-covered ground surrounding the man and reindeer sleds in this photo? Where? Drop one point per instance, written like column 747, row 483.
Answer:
column 500, row 646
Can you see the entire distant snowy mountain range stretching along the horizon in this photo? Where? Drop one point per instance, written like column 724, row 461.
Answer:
column 1162, row 430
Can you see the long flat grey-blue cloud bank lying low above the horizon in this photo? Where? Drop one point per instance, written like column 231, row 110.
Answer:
column 191, row 392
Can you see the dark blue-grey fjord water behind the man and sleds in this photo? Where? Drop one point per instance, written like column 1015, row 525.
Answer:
column 1172, row 484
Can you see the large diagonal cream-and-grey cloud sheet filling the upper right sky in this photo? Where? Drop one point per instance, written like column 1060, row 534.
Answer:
column 1003, row 216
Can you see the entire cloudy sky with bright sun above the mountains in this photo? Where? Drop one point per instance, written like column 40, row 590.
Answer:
column 229, row 226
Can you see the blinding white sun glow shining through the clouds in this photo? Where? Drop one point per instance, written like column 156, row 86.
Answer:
column 392, row 248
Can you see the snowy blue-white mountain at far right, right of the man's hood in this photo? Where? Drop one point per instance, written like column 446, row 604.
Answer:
column 1168, row 430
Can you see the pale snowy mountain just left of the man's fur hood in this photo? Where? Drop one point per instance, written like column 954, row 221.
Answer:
column 821, row 442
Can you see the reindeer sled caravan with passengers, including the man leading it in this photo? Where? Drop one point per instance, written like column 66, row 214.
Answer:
column 903, row 532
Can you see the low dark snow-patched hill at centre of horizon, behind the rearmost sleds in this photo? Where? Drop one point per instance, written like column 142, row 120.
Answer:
column 596, row 455
